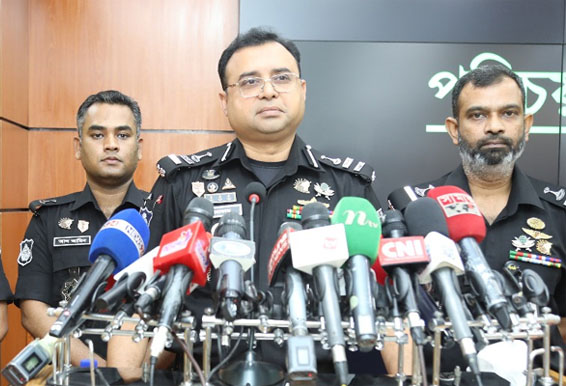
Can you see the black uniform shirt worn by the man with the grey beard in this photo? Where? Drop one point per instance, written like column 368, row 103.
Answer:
column 529, row 199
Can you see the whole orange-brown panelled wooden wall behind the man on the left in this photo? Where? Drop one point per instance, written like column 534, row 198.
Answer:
column 54, row 53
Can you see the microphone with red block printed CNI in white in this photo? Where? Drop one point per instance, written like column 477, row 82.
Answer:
column 397, row 253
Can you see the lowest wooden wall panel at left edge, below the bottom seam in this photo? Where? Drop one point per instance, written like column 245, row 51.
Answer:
column 13, row 229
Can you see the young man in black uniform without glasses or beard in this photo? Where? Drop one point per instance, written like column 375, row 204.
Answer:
column 54, row 252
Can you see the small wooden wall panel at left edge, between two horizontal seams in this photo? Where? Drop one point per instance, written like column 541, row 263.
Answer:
column 14, row 166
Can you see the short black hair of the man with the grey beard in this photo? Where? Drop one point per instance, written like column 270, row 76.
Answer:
column 483, row 76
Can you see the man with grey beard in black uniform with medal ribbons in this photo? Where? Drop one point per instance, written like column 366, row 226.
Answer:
column 522, row 214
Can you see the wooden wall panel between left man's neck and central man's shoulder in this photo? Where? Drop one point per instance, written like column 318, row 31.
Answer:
column 157, row 145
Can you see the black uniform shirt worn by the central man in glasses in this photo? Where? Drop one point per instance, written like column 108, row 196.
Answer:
column 306, row 175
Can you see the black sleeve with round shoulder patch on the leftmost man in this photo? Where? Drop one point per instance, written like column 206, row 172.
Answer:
column 35, row 264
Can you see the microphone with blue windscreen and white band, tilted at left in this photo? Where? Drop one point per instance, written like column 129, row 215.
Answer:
column 120, row 241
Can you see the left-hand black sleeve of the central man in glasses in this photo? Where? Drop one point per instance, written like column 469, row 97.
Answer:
column 166, row 206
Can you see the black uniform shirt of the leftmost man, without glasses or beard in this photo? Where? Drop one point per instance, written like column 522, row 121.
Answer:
column 55, row 248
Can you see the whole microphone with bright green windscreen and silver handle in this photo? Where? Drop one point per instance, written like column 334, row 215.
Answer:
column 363, row 232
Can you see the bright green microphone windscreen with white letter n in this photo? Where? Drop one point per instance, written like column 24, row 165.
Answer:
column 362, row 226
